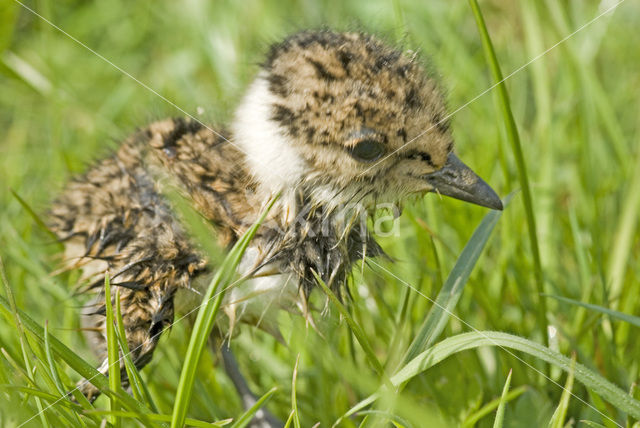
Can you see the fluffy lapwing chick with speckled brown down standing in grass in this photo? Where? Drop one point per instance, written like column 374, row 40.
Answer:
column 334, row 123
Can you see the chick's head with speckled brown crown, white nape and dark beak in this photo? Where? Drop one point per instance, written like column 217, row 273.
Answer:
column 349, row 118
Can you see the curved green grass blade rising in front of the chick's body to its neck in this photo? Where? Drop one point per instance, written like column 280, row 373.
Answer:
column 204, row 321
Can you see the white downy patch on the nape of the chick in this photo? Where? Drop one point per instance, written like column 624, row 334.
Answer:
column 270, row 156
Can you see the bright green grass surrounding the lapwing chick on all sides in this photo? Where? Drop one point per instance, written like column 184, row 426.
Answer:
column 574, row 113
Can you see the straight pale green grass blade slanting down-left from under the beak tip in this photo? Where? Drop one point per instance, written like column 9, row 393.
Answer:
column 452, row 289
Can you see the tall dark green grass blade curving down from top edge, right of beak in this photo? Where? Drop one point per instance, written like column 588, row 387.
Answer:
column 514, row 140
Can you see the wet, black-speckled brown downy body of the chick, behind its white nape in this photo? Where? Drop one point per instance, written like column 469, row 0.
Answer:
column 116, row 218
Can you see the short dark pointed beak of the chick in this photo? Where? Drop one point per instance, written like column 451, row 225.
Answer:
column 457, row 180
